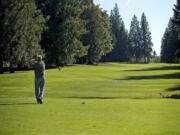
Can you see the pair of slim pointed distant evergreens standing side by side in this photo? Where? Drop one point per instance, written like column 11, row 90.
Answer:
column 140, row 44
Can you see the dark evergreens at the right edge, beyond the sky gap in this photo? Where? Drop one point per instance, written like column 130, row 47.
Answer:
column 170, row 47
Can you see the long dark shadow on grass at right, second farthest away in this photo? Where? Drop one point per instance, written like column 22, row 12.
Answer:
column 165, row 76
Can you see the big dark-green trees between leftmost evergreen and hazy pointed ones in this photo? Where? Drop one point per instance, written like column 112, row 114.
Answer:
column 78, row 31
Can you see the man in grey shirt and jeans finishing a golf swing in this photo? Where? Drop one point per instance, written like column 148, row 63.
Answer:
column 39, row 70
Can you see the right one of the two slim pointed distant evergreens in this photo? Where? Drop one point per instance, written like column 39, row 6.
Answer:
column 146, row 39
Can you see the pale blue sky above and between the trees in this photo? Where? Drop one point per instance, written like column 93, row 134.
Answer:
column 158, row 13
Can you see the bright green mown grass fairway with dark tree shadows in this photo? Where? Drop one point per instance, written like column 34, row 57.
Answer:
column 120, row 99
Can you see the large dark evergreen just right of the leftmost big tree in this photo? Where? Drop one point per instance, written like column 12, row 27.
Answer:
column 65, row 29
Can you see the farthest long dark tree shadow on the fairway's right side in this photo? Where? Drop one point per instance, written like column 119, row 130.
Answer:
column 159, row 68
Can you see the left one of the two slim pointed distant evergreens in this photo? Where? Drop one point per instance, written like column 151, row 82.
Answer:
column 135, row 40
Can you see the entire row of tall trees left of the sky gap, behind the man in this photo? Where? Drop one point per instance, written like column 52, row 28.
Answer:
column 69, row 31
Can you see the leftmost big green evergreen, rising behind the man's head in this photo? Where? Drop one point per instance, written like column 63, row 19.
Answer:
column 22, row 27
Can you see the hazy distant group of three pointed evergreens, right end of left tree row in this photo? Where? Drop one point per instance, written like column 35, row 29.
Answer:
column 135, row 46
